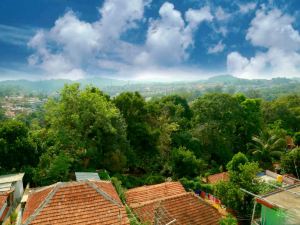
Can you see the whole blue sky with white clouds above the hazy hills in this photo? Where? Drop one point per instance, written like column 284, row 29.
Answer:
column 149, row 40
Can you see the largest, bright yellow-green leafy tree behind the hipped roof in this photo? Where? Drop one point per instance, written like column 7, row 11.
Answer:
column 86, row 126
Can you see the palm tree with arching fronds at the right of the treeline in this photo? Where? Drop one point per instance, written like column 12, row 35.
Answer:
column 267, row 147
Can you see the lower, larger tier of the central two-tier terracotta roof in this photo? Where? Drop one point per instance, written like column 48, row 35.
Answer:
column 186, row 209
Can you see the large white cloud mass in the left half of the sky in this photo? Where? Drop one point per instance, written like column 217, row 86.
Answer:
column 72, row 46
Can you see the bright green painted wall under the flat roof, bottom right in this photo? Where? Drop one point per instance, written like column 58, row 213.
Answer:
column 272, row 216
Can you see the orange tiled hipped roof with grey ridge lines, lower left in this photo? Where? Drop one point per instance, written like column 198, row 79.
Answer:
column 83, row 202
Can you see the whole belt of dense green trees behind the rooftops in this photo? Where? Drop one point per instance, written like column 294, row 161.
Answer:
column 134, row 139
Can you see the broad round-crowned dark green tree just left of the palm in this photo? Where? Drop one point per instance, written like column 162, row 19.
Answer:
column 215, row 122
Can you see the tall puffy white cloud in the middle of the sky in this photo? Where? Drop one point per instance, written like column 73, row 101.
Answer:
column 170, row 36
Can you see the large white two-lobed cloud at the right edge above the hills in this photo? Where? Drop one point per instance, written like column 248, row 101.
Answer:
column 273, row 31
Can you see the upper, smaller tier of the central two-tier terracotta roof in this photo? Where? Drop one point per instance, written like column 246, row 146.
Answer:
column 148, row 193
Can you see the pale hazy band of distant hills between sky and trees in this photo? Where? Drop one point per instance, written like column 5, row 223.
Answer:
column 268, row 89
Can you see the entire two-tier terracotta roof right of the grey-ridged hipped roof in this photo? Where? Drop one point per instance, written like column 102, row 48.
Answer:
column 169, row 201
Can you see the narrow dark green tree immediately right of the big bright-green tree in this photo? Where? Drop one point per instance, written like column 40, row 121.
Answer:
column 142, row 136
